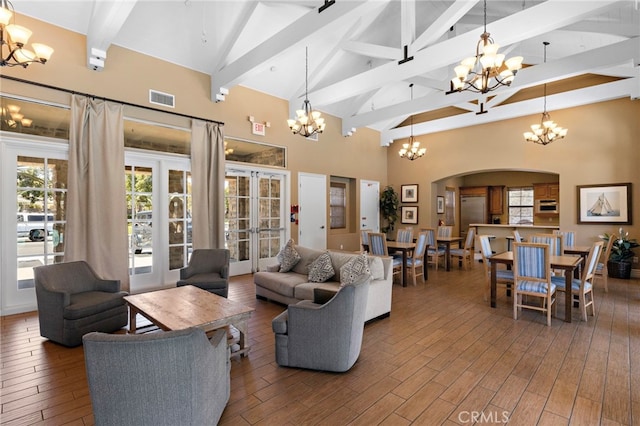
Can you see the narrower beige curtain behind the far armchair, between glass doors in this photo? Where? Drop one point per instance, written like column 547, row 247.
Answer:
column 207, row 172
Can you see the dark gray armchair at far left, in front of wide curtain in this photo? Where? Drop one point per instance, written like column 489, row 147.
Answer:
column 73, row 300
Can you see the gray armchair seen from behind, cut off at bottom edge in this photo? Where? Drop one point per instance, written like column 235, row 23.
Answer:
column 168, row 378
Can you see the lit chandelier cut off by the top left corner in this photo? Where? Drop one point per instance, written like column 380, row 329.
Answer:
column 15, row 38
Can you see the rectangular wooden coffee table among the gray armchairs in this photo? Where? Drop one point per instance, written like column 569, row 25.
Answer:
column 188, row 306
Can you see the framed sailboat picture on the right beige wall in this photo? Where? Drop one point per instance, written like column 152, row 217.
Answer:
column 607, row 204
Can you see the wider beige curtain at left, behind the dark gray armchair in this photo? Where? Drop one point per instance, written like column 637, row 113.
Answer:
column 96, row 229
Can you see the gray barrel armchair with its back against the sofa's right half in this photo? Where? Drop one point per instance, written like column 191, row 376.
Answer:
column 325, row 336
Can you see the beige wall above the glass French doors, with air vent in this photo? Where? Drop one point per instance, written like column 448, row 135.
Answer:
column 128, row 76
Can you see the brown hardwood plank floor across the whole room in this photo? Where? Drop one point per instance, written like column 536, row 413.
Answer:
column 442, row 357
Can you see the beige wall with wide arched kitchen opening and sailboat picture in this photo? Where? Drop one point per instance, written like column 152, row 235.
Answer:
column 602, row 146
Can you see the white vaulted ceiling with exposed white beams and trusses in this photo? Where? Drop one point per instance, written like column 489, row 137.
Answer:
column 355, row 48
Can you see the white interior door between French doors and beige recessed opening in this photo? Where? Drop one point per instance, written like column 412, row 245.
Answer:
column 312, row 198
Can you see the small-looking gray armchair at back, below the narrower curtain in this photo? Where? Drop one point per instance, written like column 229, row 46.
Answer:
column 209, row 270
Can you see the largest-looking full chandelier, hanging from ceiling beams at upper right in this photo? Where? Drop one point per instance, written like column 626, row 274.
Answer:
column 487, row 70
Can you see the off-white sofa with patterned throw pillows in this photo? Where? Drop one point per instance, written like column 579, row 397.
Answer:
column 294, row 286
